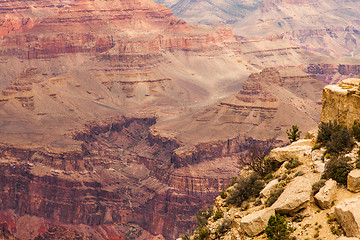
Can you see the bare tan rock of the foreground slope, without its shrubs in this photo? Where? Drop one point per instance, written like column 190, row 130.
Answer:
column 311, row 217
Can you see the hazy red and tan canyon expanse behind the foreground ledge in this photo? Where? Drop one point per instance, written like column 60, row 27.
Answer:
column 120, row 119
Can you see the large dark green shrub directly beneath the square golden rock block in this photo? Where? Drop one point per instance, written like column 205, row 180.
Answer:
column 334, row 137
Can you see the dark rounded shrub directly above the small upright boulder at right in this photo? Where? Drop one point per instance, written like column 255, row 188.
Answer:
column 338, row 169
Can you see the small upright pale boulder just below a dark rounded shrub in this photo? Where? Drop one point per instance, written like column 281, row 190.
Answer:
column 326, row 194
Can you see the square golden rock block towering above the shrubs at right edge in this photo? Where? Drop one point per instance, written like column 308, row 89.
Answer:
column 341, row 102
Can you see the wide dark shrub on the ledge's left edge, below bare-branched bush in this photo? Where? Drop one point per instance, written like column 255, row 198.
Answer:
column 245, row 188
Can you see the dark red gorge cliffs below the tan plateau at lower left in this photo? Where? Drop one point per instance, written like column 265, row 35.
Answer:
column 122, row 174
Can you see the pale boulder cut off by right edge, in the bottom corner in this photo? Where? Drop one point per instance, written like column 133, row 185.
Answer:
column 348, row 216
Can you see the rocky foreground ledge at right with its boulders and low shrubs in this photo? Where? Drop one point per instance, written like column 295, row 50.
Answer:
column 314, row 208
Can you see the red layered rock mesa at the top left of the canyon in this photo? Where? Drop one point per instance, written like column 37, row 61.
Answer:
column 129, row 27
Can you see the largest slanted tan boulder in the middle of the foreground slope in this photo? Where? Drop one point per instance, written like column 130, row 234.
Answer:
column 295, row 196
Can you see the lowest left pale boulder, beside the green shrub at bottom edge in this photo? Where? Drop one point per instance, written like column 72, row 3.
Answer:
column 253, row 224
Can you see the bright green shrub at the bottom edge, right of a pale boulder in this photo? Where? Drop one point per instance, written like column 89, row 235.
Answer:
column 277, row 228
